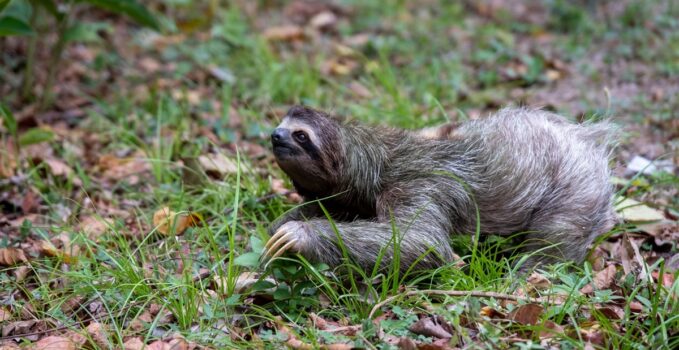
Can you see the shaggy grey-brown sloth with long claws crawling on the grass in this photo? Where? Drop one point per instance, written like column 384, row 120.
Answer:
column 373, row 192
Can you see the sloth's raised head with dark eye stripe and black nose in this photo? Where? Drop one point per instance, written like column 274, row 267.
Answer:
column 307, row 147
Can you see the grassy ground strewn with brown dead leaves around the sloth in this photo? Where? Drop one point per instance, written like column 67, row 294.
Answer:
column 137, row 187
